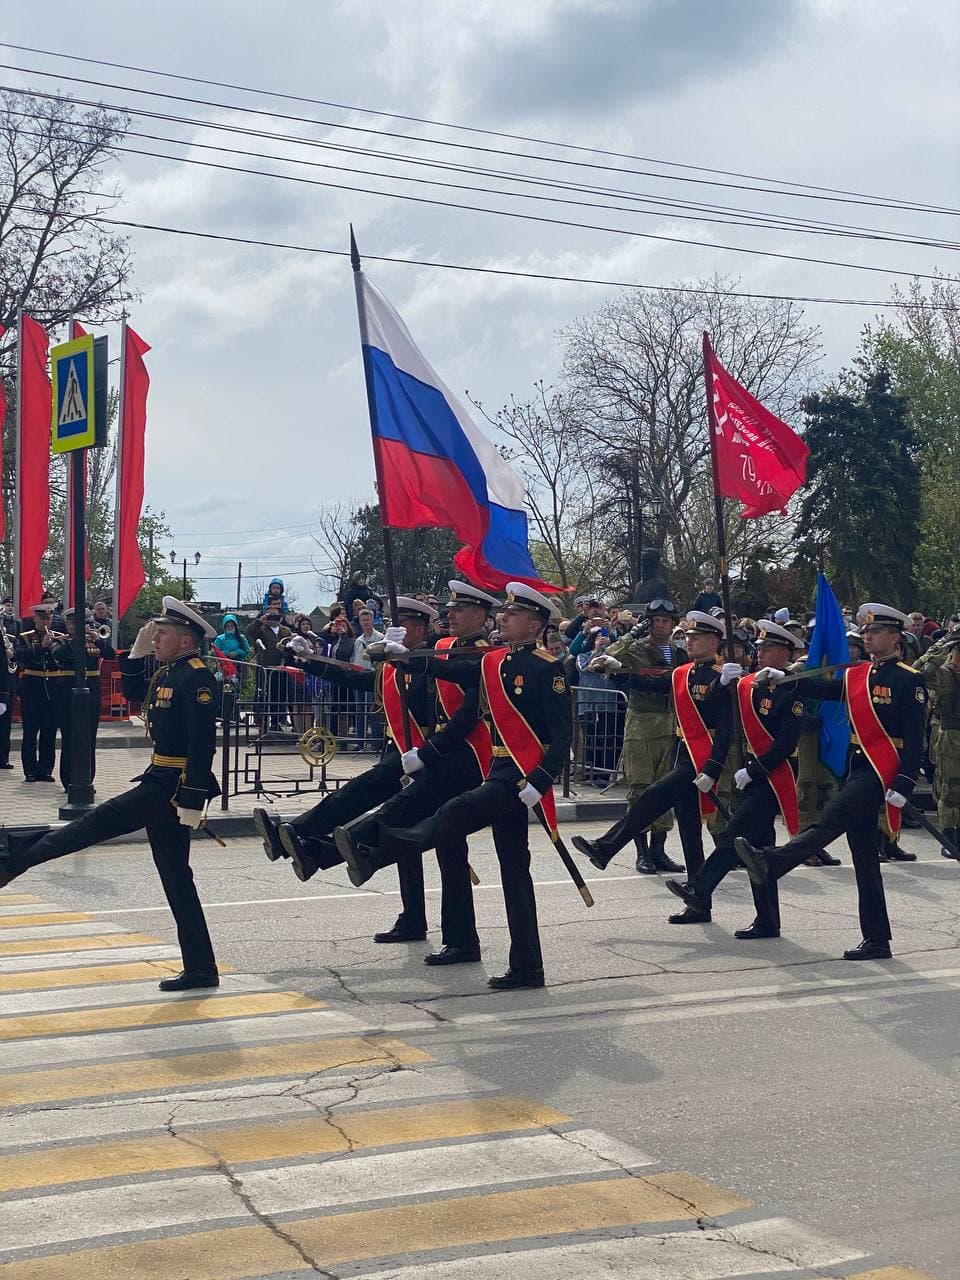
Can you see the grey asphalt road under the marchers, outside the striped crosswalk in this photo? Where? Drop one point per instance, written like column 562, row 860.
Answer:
column 824, row 1092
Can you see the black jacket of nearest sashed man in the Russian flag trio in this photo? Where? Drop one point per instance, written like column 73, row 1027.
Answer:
column 537, row 687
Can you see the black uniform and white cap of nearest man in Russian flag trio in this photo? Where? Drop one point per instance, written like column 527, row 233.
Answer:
column 537, row 687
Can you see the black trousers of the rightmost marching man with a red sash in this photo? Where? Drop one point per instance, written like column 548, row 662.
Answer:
column 853, row 813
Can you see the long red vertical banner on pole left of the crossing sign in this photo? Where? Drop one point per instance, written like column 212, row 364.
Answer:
column 34, row 479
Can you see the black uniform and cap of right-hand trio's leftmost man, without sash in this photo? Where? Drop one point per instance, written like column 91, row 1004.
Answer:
column 676, row 790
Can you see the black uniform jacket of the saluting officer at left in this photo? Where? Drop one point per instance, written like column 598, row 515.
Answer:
column 180, row 708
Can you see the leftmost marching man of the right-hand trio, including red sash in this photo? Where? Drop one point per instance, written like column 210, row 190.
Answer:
column 705, row 730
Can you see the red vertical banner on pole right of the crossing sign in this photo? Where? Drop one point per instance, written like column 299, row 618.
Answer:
column 134, row 422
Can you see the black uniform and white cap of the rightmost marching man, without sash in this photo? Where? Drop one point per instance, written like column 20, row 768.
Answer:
column 899, row 701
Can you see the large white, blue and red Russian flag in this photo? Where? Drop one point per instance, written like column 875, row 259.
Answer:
column 437, row 468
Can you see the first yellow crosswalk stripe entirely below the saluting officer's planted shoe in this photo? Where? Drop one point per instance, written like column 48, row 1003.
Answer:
column 162, row 1013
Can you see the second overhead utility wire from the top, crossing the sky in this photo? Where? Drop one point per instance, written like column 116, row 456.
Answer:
column 464, row 147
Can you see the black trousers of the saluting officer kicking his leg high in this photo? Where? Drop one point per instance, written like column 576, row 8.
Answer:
column 150, row 806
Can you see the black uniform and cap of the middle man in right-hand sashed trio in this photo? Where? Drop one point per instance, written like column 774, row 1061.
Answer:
column 781, row 712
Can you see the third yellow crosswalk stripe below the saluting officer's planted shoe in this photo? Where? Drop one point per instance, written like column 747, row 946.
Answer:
column 204, row 1149
